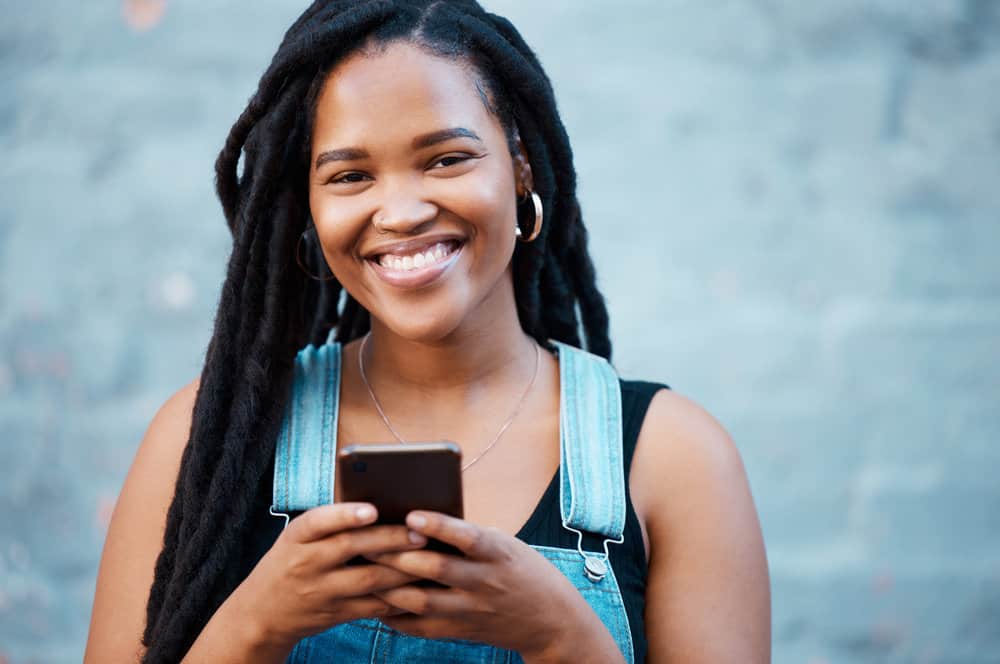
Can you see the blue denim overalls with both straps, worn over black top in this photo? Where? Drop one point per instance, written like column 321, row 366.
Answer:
column 591, row 488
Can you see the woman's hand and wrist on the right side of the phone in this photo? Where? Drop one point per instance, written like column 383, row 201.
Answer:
column 502, row 592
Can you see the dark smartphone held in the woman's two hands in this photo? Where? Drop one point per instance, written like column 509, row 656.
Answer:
column 398, row 478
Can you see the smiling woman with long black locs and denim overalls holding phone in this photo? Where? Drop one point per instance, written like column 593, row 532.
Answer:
column 409, row 156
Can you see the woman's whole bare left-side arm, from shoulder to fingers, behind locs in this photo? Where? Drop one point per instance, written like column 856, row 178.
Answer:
column 303, row 577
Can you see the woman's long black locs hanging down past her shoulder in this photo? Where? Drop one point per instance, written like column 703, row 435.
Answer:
column 269, row 308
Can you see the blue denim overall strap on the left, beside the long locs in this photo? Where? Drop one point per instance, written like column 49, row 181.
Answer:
column 303, row 461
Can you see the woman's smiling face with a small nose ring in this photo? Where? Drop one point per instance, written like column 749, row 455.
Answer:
column 413, row 191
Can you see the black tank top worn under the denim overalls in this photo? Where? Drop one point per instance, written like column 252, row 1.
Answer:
column 543, row 527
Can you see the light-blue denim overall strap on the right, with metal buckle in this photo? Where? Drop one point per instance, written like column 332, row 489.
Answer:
column 592, row 476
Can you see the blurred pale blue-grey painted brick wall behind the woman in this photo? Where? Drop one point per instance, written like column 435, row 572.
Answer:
column 804, row 194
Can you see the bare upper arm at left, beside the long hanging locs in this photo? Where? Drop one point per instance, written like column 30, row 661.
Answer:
column 135, row 535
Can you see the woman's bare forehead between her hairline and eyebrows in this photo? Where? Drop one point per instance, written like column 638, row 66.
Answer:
column 399, row 91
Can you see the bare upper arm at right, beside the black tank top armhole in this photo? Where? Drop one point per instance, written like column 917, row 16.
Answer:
column 708, row 593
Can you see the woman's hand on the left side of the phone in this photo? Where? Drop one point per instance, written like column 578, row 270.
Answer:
column 301, row 586
